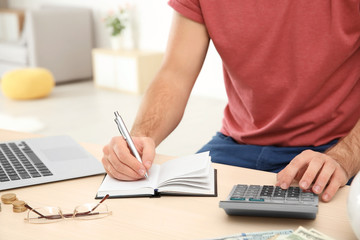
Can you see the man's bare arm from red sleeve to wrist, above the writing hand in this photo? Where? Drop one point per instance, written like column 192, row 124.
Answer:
column 165, row 101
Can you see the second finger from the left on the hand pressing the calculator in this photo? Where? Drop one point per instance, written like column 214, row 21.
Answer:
column 312, row 171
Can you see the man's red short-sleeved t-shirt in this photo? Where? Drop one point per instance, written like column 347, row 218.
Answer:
column 291, row 68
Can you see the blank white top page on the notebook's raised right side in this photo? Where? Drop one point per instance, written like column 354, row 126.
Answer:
column 182, row 166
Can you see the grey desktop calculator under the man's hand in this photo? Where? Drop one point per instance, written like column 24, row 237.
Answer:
column 271, row 201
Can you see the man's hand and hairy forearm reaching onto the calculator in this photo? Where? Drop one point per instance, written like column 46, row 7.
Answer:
column 327, row 171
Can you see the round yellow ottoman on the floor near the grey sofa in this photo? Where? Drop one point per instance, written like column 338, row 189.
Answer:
column 27, row 83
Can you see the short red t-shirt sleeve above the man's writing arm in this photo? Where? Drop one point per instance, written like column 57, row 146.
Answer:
column 188, row 8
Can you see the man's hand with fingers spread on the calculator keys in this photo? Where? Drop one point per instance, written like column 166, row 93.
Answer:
column 316, row 168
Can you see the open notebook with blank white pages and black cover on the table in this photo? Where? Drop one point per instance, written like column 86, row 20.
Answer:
column 191, row 175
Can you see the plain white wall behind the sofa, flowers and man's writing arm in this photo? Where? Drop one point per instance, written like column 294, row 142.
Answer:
column 151, row 20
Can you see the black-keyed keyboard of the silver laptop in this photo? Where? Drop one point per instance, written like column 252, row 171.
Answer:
column 20, row 162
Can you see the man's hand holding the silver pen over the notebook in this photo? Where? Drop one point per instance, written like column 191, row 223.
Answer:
column 119, row 163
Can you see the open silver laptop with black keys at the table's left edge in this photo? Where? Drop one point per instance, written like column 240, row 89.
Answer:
column 28, row 162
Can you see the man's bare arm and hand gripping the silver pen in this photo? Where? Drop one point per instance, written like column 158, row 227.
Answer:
column 164, row 102
